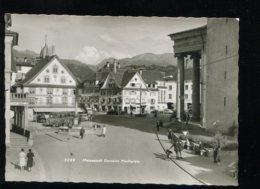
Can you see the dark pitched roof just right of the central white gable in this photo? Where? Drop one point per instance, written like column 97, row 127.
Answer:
column 150, row 76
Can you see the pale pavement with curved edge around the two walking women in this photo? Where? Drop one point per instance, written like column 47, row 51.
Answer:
column 12, row 173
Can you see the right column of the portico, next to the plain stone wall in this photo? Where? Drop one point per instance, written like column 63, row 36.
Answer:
column 196, row 87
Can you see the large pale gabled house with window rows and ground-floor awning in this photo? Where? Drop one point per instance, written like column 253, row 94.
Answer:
column 51, row 87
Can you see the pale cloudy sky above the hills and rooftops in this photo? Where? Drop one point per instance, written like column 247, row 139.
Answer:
column 91, row 39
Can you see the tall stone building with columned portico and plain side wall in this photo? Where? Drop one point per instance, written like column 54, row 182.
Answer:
column 213, row 49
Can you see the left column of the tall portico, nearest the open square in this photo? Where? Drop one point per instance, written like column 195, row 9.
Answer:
column 180, row 86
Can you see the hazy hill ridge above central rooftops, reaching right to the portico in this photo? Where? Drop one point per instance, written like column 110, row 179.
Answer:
column 146, row 59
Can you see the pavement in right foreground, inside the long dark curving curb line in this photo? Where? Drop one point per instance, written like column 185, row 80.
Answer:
column 203, row 167
